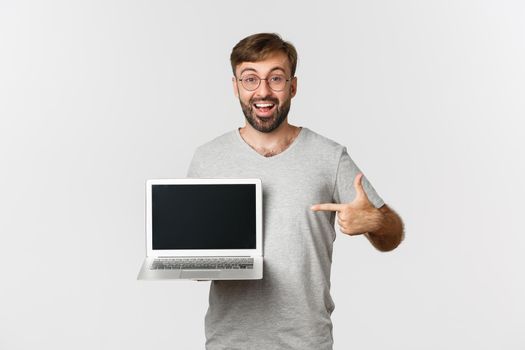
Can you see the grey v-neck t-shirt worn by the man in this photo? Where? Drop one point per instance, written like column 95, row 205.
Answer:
column 290, row 307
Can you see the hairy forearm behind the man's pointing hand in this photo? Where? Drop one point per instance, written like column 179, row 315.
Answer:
column 390, row 232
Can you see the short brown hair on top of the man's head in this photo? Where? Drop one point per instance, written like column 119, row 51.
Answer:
column 257, row 47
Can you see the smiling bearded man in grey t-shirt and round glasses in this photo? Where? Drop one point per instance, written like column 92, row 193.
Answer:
column 308, row 180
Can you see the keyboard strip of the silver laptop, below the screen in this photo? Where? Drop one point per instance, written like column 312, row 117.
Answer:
column 223, row 263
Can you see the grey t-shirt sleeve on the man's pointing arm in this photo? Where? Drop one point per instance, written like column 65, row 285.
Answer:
column 344, row 191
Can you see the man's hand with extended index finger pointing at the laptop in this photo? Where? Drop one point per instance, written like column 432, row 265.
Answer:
column 357, row 217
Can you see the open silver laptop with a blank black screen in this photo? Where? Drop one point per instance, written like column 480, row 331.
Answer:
column 203, row 229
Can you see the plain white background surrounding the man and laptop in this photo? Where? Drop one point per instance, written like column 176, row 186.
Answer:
column 98, row 96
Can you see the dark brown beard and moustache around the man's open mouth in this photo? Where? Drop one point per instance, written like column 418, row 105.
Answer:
column 268, row 124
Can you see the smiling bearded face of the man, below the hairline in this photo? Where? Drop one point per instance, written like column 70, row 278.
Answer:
column 265, row 109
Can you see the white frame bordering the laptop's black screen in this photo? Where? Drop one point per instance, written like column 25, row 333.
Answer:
column 203, row 252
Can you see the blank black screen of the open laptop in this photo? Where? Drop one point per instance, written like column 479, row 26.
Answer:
column 204, row 216
